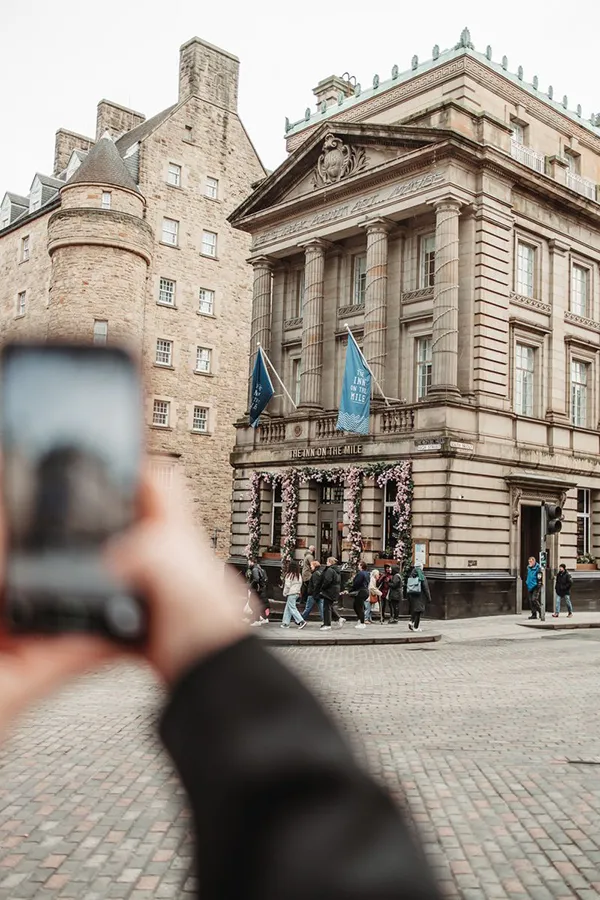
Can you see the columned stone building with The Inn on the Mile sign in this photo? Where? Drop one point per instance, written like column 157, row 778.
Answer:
column 449, row 215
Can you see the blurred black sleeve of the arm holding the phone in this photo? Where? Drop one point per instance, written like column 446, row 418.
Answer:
column 282, row 811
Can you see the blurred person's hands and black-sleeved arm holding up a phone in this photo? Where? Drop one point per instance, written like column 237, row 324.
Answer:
column 262, row 764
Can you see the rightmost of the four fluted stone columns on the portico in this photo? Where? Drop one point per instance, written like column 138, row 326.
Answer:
column 444, row 345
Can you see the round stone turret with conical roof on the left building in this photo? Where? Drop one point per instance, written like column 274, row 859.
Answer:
column 100, row 246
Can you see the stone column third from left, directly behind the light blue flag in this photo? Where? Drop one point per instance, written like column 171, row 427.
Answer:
column 375, row 320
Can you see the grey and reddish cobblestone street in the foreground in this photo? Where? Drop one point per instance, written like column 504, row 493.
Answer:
column 490, row 736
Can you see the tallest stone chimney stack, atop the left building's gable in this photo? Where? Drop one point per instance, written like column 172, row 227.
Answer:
column 208, row 73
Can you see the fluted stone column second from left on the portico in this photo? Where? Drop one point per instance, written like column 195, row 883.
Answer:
column 312, row 323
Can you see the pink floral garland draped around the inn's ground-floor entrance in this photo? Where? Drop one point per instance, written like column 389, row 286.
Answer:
column 353, row 477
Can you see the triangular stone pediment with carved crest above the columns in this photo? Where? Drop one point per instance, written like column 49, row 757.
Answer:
column 335, row 154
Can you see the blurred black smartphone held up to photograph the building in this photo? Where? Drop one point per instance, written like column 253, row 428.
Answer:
column 71, row 437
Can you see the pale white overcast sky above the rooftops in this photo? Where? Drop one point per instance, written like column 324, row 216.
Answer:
column 60, row 59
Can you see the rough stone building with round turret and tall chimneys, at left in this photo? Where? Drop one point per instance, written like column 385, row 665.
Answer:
column 128, row 241
